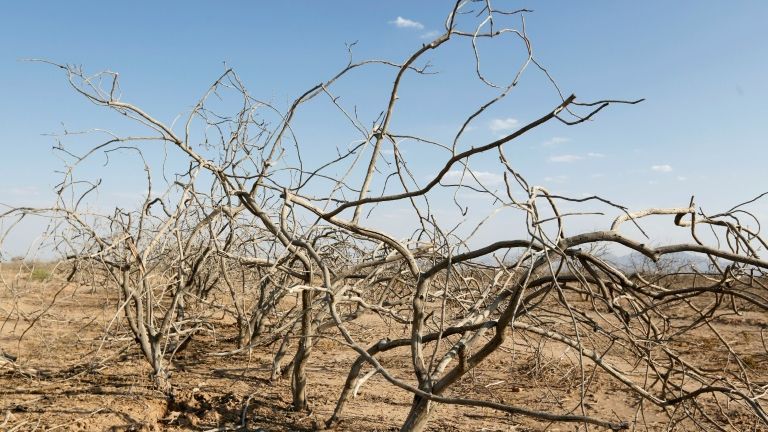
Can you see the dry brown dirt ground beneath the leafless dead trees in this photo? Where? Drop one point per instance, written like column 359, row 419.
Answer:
column 67, row 376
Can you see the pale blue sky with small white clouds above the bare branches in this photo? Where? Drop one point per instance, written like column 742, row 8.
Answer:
column 701, row 65
